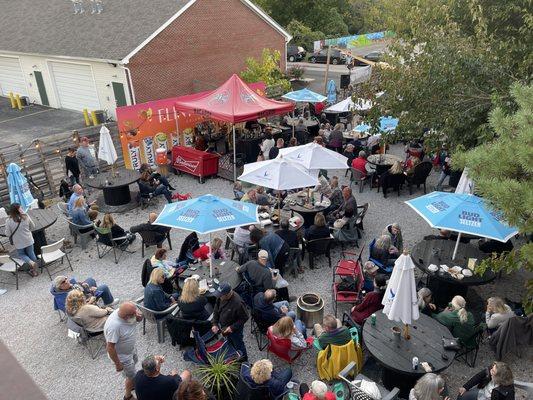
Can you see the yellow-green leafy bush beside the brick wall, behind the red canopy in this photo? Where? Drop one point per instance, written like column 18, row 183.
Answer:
column 267, row 70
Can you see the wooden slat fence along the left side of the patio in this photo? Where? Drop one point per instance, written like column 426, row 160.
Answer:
column 44, row 159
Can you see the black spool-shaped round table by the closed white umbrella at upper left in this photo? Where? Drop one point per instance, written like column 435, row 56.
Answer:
column 116, row 190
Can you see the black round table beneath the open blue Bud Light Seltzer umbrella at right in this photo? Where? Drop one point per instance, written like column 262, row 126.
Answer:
column 439, row 252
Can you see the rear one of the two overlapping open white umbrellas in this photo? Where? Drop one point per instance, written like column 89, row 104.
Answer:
column 313, row 156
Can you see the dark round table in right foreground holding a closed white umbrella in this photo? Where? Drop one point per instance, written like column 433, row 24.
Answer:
column 396, row 355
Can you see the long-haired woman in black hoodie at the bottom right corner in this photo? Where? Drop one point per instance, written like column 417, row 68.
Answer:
column 493, row 383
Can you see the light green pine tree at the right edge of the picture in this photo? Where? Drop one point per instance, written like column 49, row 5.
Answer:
column 503, row 171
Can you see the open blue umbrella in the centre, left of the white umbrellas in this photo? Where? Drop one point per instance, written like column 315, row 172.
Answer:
column 207, row 214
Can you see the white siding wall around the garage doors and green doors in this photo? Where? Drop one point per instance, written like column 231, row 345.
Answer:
column 103, row 73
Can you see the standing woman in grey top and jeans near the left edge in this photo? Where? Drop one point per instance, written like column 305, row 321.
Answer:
column 18, row 231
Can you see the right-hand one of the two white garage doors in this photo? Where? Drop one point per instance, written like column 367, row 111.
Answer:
column 75, row 86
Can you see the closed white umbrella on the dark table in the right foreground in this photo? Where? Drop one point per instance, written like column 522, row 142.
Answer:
column 400, row 299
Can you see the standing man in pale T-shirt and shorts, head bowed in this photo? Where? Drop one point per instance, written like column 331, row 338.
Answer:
column 120, row 332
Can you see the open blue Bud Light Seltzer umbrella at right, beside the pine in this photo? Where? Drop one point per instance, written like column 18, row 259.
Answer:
column 463, row 213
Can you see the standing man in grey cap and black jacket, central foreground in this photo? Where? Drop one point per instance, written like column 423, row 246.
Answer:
column 229, row 317
